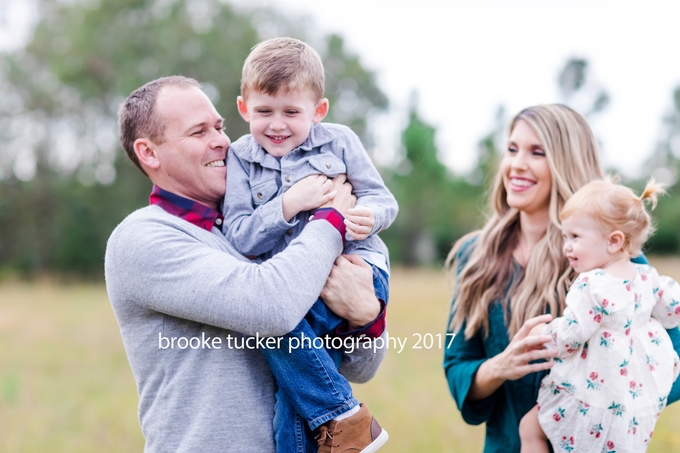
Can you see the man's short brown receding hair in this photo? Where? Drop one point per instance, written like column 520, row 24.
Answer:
column 138, row 118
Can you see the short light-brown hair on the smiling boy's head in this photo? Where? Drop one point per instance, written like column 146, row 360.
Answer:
column 283, row 64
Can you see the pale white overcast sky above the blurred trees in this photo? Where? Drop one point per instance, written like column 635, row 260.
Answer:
column 467, row 57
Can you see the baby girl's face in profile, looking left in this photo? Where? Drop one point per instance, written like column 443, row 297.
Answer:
column 585, row 243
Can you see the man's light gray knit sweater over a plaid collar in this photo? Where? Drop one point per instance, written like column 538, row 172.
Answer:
column 168, row 278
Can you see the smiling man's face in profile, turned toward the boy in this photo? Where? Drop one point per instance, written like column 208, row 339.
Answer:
column 192, row 157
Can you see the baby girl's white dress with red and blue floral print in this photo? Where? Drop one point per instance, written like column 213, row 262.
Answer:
column 616, row 363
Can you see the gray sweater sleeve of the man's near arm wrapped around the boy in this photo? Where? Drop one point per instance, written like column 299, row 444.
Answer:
column 175, row 268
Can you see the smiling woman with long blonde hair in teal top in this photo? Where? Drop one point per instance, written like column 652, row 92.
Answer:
column 512, row 272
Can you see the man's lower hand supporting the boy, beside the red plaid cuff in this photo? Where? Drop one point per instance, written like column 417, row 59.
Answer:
column 349, row 291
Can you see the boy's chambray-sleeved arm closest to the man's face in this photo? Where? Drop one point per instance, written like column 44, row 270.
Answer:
column 252, row 231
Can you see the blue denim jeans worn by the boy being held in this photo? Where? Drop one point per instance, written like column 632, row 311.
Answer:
column 311, row 391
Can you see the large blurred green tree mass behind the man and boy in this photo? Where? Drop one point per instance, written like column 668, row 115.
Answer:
column 59, row 153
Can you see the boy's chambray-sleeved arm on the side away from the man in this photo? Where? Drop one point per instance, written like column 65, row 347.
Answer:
column 369, row 187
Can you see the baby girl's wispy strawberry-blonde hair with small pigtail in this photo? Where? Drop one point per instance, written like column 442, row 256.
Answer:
column 616, row 207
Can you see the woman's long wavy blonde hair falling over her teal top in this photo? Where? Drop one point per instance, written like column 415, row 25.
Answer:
column 573, row 159
